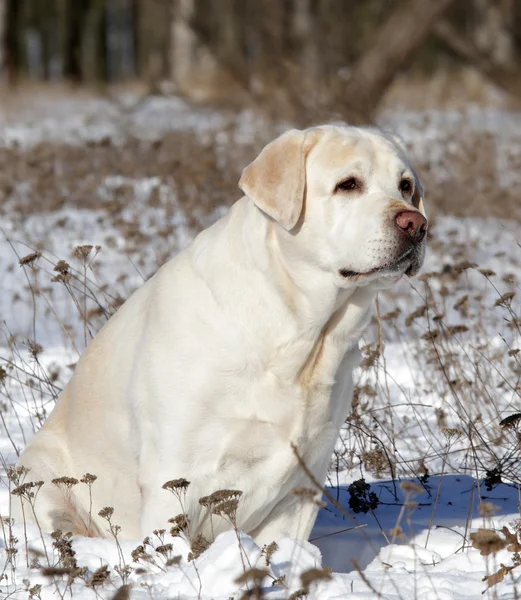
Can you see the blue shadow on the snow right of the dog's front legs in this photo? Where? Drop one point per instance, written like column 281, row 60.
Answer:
column 457, row 504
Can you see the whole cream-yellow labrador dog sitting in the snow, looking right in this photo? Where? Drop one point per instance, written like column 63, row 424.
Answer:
column 239, row 347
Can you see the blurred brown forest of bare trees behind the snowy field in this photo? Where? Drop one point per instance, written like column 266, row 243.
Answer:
column 311, row 57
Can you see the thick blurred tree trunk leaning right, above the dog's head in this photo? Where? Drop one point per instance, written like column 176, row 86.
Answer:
column 392, row 48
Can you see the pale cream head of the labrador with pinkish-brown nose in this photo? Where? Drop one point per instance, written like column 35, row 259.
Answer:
column 347, row 197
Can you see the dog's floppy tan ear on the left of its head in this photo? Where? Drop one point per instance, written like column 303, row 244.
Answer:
column 276, row 179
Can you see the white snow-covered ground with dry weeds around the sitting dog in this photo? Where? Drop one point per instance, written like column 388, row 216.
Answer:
column 424, row 433
